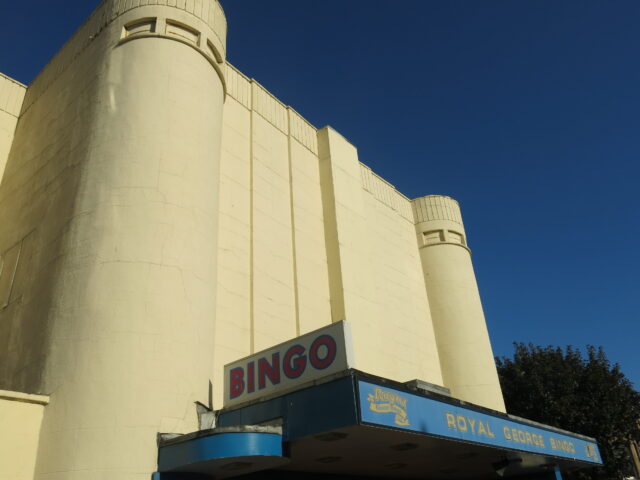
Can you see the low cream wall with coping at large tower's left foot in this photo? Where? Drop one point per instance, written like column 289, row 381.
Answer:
column 20, row 418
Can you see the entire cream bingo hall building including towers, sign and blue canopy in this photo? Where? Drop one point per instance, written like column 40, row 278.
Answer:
column 162, row 216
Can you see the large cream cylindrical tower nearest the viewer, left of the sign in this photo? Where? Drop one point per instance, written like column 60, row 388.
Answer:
column 132, row 115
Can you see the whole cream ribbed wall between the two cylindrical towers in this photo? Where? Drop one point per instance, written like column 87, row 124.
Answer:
column 277, row 209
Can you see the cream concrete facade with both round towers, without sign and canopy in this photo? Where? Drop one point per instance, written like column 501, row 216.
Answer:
column 162, row 215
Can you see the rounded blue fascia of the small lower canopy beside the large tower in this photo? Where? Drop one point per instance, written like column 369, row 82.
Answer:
column 217, row 446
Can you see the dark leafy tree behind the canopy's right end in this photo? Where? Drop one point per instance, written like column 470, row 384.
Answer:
column 583, row 395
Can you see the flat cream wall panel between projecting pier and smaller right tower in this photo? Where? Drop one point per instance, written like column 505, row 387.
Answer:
column 404, row 322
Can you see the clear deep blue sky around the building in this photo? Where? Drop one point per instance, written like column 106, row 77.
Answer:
column 527, row 112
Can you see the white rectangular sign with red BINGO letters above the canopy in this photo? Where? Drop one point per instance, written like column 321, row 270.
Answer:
column 288, row 365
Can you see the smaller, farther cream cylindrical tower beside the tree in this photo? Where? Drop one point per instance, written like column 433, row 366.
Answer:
column 467, row 361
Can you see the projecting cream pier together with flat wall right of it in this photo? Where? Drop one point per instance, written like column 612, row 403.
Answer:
column 376, row 278
